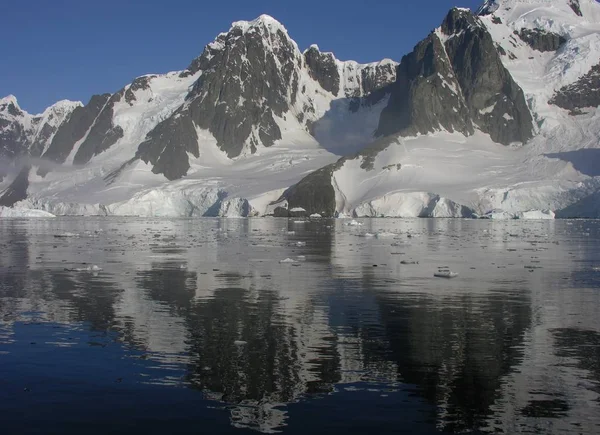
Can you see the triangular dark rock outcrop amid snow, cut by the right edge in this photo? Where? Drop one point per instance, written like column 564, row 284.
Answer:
column 585, row 92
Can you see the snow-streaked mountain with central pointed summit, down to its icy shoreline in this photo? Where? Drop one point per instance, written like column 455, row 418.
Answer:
column 248, row 118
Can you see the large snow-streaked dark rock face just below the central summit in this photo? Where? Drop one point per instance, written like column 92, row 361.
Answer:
column 244, row 86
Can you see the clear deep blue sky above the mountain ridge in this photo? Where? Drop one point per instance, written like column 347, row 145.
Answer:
column 71, row 49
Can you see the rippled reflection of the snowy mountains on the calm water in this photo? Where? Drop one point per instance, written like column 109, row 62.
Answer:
column 256, row 335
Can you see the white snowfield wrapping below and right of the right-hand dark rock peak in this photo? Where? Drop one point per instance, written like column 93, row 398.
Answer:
column 449, row 175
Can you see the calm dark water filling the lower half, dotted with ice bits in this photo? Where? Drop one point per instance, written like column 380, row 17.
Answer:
column 194, row 326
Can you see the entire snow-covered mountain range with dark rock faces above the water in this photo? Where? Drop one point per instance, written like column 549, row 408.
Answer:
column 491, row 111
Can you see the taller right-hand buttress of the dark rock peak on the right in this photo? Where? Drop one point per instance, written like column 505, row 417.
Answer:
column 495, row 101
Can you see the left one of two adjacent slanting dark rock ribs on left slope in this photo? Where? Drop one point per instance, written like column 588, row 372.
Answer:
column 74, row 129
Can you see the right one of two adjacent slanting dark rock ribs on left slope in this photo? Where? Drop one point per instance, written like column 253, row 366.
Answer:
column 103, row 133
